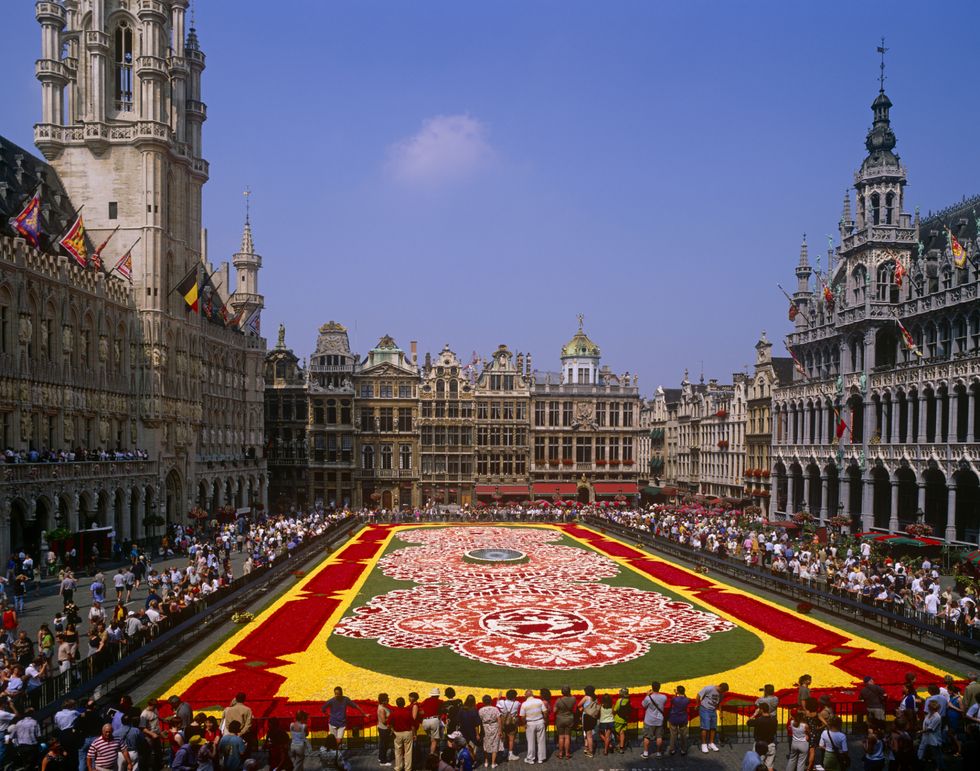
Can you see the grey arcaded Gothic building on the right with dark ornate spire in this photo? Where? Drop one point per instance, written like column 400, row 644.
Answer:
column 880, row 423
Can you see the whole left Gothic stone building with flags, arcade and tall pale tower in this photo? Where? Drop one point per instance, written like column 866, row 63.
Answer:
column 101, row 361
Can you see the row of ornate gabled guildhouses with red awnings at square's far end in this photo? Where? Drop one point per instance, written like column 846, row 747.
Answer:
column 446, row 433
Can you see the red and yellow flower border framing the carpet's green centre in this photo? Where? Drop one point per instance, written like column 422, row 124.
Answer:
column 264, row 657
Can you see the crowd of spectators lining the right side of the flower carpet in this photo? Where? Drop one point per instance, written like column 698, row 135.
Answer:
column 907, row 585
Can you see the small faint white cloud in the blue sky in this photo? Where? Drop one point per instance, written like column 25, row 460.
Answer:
column 445, row 149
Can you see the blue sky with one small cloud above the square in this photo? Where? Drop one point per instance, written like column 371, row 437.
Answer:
column 478, row 173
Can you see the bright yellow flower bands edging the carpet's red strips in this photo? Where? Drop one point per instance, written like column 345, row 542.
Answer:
column 312, row 675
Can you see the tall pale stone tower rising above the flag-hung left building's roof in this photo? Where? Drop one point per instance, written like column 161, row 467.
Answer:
column 121, row 117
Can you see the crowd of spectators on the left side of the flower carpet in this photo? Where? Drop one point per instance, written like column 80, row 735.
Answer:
column 124, row 607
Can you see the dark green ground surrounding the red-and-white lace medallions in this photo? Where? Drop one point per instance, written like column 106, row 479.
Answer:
column 664, row 662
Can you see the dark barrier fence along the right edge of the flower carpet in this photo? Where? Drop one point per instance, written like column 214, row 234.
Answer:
column 922, row 633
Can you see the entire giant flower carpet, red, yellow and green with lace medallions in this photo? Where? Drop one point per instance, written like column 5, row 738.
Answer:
column 484, row 608
